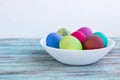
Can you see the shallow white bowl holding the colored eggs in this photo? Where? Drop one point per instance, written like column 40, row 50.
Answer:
column 77, row 57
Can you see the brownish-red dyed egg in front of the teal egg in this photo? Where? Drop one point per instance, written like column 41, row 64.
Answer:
column 93, row 42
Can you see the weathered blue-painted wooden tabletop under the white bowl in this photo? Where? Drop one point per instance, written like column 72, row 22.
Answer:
column 25, row 59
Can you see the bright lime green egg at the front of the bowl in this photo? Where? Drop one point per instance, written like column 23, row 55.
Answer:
column 70, row 43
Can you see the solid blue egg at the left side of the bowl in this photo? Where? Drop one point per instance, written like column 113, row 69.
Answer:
column 53, row 40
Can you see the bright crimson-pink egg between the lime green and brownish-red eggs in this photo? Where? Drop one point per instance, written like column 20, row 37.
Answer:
column 79, row 35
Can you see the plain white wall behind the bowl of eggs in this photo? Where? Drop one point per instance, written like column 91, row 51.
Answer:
column 36, row 18
